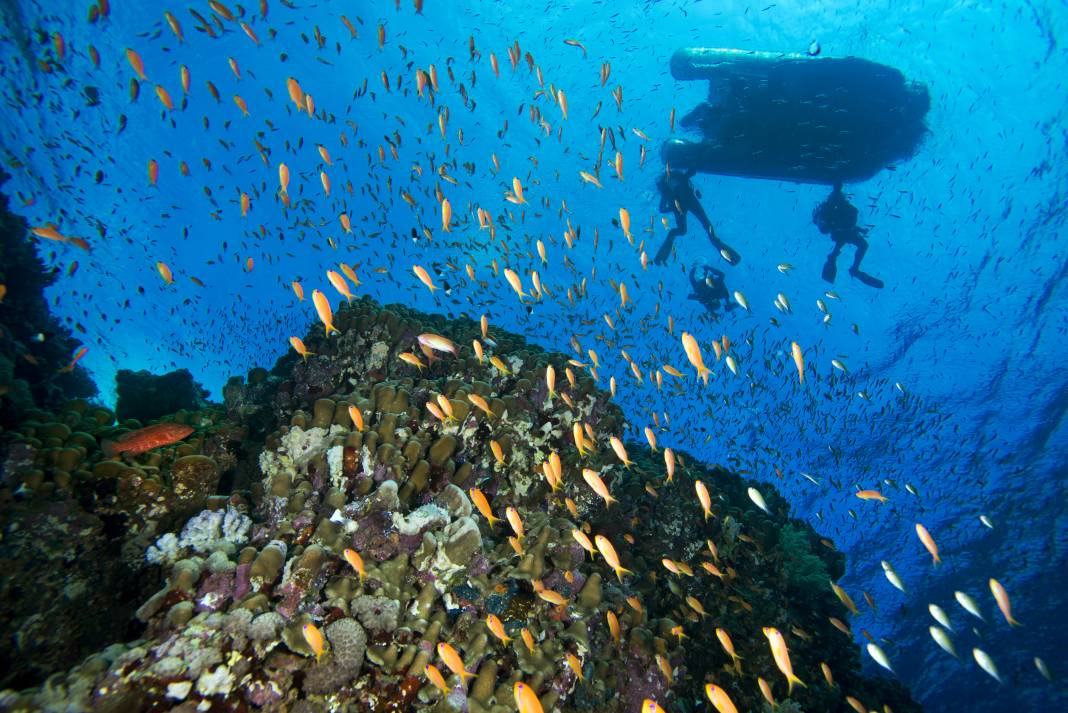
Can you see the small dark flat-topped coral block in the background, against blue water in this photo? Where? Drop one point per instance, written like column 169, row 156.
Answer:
column 148, row 397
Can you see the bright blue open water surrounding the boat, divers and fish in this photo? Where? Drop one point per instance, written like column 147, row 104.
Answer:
column 968, row 236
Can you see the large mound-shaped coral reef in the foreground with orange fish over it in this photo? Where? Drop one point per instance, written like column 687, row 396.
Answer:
column 370, row 536
